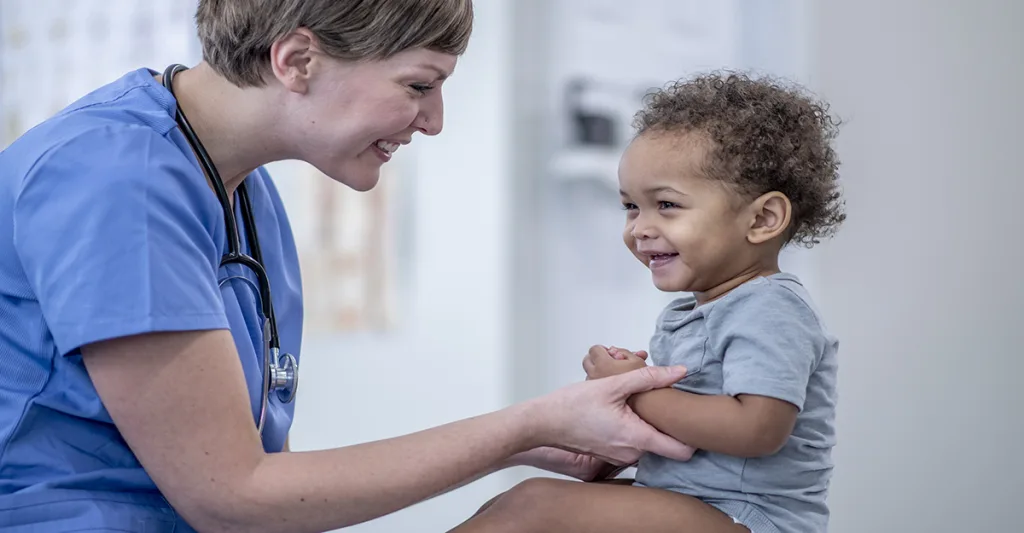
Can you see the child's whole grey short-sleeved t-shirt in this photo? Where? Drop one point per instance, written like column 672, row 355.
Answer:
column 764, row 338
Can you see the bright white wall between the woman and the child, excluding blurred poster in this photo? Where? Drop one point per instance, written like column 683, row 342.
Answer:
column 450, row 360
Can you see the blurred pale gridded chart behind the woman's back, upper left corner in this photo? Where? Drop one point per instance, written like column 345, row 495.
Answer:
column 54, row 53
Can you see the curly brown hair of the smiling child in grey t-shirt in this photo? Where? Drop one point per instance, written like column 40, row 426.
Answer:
column 765, row 137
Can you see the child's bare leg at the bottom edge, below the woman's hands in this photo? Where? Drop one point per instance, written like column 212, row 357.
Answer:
column 540, row 506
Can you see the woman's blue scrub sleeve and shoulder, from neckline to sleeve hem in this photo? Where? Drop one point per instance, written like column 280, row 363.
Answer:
column 111, row 223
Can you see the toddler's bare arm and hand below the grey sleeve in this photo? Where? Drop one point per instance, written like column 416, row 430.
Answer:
column 746, row 426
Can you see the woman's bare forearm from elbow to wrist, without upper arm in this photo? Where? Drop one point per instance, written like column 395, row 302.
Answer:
column 347, row 486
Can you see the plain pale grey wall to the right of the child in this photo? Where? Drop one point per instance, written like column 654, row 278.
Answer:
column 923, row 285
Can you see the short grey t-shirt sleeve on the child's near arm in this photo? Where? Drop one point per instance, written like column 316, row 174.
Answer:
column 772, row 341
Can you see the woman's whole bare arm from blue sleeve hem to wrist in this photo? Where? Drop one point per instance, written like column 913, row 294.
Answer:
column 200, row 447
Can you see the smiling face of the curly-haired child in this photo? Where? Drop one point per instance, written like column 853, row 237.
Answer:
column 690, row 231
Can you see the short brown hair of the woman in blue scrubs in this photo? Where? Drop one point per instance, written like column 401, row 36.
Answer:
column 237, row 35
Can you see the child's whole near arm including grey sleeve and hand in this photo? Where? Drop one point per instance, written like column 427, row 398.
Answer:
column 772, row 342
